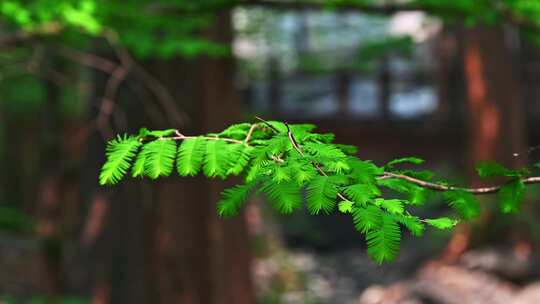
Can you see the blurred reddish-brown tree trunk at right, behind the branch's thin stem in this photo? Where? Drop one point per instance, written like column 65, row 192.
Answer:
column 496, row 115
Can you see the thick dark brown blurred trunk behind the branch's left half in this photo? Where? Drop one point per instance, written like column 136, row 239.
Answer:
column 210, row 255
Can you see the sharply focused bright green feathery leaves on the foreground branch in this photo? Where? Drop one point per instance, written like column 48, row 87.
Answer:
column 292, row 166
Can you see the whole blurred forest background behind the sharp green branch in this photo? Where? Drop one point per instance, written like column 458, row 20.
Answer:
column 453, row 82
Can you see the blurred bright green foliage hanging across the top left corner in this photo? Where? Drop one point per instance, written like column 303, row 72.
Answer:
column 147, row 28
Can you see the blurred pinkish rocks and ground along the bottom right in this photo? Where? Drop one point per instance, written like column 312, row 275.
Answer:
column 288, row 271
